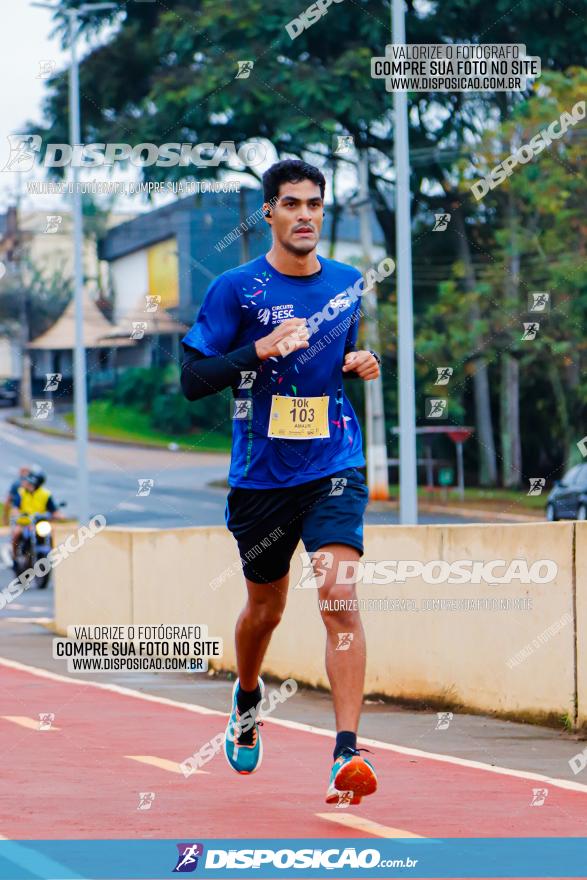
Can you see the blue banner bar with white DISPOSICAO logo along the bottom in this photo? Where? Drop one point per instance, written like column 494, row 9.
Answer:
column 464, row 858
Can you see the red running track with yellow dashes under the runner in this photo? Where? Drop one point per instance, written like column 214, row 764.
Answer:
column 76, row 782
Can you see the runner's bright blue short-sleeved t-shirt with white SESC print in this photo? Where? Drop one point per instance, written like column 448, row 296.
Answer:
column 246, row 304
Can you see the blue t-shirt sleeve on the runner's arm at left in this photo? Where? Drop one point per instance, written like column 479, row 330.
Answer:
column 218, row 320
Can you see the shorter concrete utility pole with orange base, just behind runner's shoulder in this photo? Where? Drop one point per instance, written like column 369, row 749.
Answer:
column 377, row 478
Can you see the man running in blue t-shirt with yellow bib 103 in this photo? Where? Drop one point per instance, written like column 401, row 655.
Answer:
column 281, row 330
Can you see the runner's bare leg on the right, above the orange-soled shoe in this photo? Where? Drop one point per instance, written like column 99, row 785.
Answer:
column 346, row 668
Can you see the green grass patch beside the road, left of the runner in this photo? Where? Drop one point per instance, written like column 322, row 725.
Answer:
column 129, row 425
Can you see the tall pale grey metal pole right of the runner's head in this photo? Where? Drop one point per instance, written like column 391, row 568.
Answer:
column 408, row 474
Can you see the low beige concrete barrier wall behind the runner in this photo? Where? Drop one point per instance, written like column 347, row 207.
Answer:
column 146, row 576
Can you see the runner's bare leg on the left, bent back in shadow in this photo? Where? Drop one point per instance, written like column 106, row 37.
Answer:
column 254, row 628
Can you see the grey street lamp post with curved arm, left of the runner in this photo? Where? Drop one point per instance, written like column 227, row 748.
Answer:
column 79, row 354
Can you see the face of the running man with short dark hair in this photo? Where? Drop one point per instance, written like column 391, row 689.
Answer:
column 296, row 217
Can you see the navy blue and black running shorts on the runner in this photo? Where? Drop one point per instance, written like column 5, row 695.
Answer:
column 268, row 523
